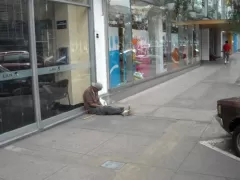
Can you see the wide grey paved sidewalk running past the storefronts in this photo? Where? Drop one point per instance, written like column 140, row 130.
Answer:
column 159, row 142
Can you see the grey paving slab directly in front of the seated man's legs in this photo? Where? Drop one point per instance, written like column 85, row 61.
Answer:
column 135, row 125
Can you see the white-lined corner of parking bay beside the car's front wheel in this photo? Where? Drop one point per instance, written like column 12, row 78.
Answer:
column 222, row 146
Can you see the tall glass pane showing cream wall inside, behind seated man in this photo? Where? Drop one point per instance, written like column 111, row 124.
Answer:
column 63, row 56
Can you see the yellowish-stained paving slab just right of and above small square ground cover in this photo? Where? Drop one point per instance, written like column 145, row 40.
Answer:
column 168, row 151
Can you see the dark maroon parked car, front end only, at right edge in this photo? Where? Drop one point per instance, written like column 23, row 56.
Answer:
column 228, row 115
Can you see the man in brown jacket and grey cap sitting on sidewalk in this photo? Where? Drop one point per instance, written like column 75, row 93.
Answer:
column 93, row 105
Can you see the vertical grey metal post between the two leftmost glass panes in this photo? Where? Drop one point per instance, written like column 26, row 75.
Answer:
column 33, row 59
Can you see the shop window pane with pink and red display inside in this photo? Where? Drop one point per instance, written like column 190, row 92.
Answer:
column 148, row 40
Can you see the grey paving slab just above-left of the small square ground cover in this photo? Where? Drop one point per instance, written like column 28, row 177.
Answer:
column 71, row 139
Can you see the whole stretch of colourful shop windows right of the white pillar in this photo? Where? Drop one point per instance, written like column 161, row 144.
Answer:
column 156, row 42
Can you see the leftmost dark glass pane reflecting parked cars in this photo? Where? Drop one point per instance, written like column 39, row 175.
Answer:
column 16, row 99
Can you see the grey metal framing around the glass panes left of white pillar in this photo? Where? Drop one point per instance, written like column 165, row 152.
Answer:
column 39, row 124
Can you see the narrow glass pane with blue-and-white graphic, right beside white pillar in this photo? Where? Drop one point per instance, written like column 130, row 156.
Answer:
column 120, row 43
